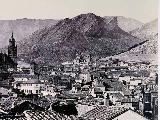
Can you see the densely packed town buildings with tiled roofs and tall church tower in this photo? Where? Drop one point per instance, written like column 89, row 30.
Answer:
column 99, row 88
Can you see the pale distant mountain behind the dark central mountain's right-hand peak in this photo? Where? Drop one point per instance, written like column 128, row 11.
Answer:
column 126, row 24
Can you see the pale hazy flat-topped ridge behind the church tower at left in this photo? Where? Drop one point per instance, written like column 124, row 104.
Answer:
column 21, row 27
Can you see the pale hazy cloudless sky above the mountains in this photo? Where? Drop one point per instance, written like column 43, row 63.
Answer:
column 142, row 10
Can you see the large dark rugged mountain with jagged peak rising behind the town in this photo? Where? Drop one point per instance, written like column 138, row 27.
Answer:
column 86, row 33
